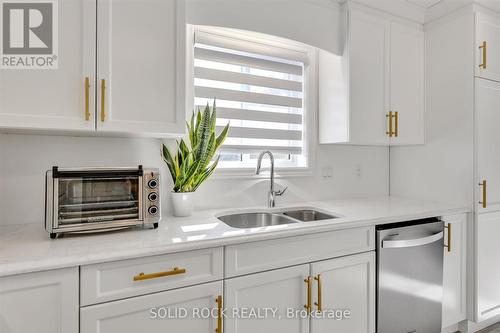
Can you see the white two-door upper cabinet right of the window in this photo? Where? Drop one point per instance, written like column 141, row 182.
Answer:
column 374, row 95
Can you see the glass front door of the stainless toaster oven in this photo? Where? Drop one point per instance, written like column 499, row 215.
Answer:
column 100, row 197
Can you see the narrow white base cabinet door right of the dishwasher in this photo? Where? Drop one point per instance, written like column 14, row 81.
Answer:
column 454, row 270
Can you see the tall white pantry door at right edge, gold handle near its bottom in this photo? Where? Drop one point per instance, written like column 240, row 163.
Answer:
column 488, row 141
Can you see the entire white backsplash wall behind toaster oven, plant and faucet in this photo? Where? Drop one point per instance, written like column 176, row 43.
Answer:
column 25, row 158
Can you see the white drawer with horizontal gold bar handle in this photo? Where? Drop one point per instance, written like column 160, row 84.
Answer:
column 120, row 279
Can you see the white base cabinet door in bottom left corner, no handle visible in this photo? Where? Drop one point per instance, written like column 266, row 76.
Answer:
column 45, row 302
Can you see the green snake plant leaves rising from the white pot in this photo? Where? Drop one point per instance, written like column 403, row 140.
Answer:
column 191, row 165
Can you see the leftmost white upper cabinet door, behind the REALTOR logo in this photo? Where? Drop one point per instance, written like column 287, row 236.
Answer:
column 55, row 99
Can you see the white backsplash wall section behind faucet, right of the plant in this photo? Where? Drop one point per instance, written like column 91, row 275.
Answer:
column 346, row 161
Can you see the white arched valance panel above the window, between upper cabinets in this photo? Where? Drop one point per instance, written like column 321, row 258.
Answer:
column 318, row 23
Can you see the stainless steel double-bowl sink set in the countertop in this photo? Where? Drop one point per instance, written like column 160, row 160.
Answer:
column 265, row 219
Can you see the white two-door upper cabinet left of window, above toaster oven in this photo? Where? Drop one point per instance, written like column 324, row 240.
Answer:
column 140, row 83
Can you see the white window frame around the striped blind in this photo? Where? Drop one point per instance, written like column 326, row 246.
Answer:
column 310, row 97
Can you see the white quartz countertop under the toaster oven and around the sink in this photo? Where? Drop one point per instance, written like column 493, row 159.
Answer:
column 28, row 248
